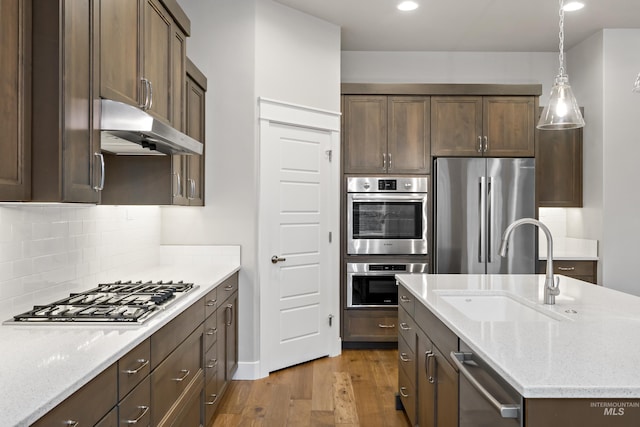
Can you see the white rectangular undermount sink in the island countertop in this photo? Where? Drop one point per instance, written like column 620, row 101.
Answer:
column 497, row 308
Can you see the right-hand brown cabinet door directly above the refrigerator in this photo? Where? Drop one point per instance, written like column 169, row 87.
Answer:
column 509, row 126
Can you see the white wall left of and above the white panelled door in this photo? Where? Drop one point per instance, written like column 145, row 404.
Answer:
column 248, row 49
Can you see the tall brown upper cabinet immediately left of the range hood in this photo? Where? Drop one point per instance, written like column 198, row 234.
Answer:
column 66, row 159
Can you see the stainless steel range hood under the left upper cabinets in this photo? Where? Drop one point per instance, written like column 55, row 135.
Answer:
column 127, row 130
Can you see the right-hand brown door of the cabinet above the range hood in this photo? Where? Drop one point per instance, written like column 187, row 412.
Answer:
column 158, row 36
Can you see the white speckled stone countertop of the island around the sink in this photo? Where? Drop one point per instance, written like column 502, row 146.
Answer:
column 592, row 353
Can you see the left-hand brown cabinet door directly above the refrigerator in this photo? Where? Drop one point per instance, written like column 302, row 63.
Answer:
column 456, row 126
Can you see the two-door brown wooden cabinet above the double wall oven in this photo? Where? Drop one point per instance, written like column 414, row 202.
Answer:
column 386, row 134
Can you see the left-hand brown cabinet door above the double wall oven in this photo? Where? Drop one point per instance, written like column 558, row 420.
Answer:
column 365, row 134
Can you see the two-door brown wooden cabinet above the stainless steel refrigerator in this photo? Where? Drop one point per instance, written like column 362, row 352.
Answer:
column 476, row 126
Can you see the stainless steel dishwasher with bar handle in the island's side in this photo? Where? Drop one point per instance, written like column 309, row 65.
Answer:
column 486, row 400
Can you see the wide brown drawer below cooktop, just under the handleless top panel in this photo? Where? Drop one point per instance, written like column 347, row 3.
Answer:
column 172, row 377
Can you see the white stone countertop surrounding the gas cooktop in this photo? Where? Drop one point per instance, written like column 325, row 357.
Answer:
column 41, row 365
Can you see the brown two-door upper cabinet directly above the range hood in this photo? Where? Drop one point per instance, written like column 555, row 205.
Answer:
column 142, row 55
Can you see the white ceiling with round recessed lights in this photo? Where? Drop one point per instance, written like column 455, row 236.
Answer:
column 467, row 25
